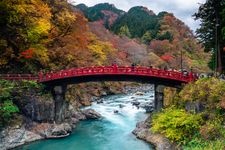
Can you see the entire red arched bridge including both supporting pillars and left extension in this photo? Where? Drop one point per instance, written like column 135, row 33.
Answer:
column 57, row 81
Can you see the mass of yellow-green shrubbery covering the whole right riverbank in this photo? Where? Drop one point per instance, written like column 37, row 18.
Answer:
column 201, row 131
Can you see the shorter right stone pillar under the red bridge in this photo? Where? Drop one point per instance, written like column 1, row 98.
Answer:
column 159, row 97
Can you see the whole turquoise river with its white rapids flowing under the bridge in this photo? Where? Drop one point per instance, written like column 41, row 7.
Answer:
column 112, row 132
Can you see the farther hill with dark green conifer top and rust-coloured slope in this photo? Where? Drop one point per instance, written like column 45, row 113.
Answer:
column 153, row 36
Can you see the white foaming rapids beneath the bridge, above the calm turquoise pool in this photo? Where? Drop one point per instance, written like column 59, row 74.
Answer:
column 127, row 113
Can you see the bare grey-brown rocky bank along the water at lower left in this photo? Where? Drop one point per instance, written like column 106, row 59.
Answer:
column 24, row 133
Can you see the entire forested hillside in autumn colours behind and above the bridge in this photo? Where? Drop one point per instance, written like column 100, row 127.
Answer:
column 51, row 40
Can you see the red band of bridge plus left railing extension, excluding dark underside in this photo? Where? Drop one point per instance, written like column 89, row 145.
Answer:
column 103, row 71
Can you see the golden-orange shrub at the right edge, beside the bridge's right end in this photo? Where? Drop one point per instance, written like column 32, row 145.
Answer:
column 209, row 91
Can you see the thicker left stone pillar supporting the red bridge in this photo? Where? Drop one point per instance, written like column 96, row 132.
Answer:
column 58, row 93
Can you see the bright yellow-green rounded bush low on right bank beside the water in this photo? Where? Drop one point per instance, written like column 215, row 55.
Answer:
column 176, row 124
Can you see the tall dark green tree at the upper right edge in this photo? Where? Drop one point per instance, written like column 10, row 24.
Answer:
column 211, row 14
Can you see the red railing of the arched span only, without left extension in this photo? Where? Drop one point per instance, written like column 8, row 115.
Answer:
column 145, row 71
